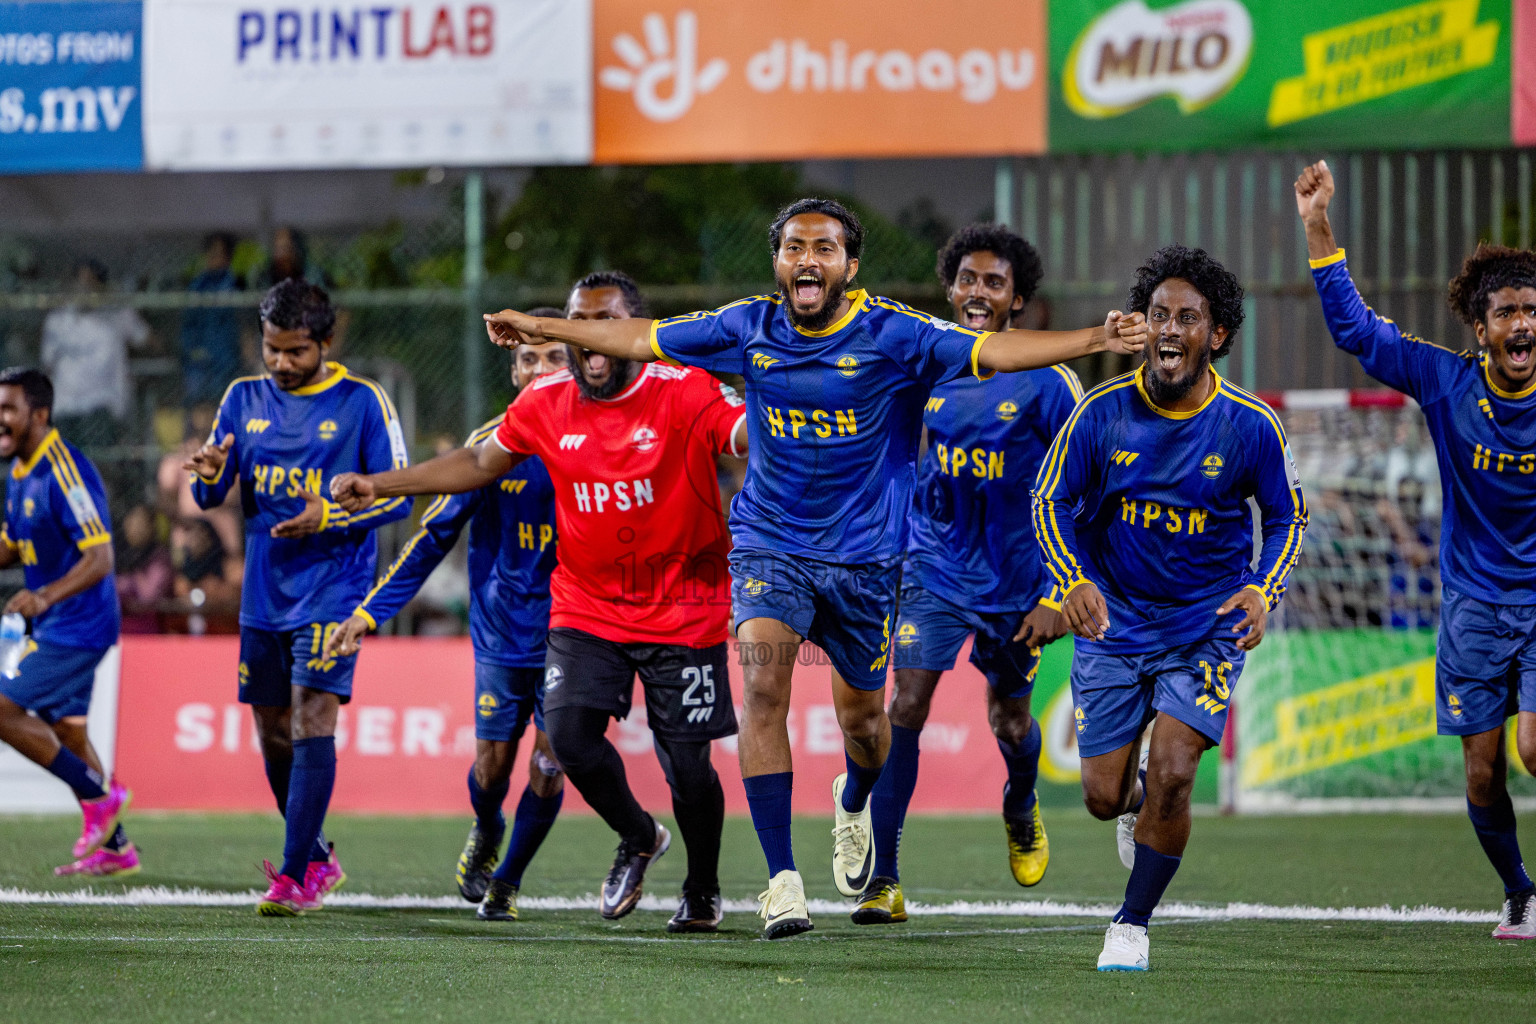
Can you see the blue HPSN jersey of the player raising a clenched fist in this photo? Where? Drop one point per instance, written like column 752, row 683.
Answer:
column 1485, row 441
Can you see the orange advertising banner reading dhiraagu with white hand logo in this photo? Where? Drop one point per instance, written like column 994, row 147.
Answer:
column 703, row 81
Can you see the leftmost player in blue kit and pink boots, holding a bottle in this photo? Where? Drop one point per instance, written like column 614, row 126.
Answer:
column 55, row 529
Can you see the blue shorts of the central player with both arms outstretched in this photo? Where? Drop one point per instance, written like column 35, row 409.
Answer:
column 846, row 610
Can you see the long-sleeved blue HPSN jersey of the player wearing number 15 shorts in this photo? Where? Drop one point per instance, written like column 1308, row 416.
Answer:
column 1153, row 507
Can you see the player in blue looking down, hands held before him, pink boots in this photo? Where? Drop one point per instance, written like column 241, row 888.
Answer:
column 308, row 561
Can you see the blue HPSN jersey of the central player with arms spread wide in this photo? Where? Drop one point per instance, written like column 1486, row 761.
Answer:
column 836, row 417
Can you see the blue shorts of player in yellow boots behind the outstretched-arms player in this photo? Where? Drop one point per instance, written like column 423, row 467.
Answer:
column 932, row 632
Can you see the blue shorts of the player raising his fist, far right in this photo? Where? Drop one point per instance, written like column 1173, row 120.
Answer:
column 1485, row 664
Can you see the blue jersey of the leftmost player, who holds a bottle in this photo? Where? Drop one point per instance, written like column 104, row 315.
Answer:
column 56, row 509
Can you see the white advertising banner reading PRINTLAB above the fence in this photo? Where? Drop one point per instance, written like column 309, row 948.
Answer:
column 234, row 85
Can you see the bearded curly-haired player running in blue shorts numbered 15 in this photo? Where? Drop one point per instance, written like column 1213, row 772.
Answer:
column 1142, row 510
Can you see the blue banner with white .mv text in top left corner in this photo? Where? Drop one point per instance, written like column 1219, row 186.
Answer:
column 70, row 87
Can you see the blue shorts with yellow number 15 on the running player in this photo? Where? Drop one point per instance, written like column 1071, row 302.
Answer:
column 1116, row 696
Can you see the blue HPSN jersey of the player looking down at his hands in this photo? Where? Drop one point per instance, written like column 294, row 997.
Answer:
column 288, row 443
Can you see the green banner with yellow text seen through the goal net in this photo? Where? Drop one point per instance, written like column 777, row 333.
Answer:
column 1348, row 715
